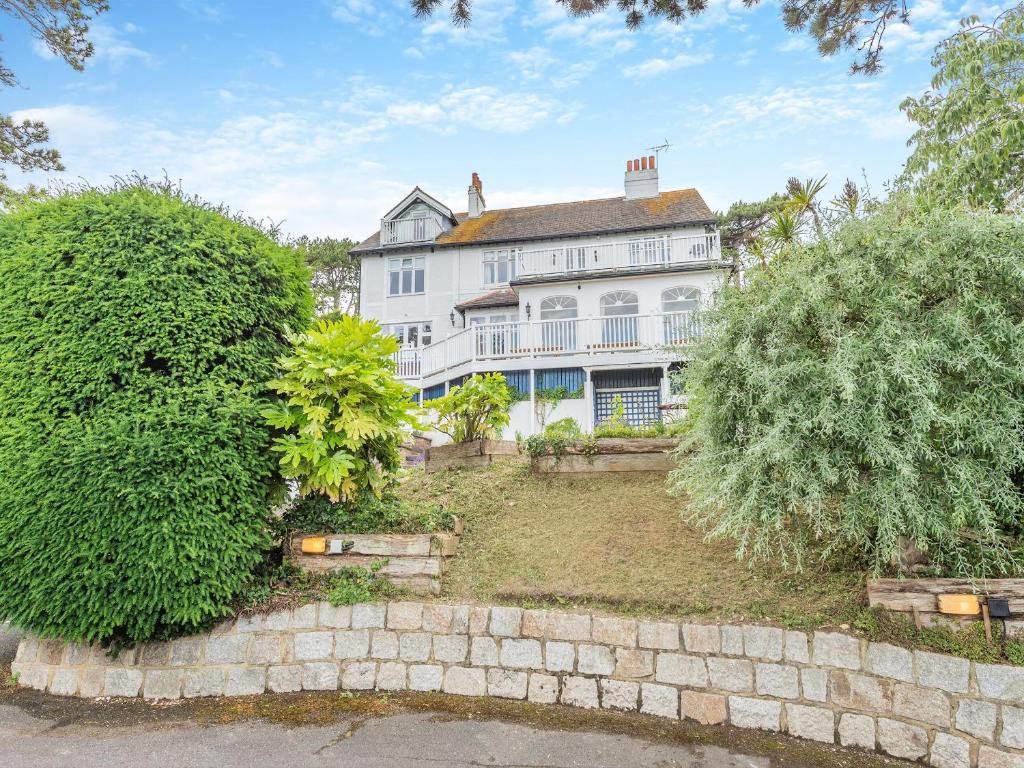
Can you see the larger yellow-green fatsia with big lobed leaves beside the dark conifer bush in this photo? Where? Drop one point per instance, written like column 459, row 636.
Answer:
column 343, row 411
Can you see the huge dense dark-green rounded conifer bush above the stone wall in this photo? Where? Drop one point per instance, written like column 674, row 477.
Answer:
column 137, row 329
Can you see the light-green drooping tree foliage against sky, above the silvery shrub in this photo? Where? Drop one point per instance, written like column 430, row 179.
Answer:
column 970, row 140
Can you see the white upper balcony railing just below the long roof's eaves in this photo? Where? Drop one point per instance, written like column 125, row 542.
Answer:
column 638, row 254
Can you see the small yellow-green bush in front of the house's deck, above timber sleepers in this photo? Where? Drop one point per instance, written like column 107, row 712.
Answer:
column 478, row 409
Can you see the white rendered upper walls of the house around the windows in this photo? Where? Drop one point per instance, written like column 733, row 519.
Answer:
column 456, row 275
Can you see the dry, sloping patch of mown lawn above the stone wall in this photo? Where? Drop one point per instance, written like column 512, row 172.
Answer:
column 613, row 541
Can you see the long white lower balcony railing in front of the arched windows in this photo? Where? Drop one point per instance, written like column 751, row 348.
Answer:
column 585, row 336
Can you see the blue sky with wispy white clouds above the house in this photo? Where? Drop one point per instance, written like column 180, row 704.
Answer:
column 322, row 114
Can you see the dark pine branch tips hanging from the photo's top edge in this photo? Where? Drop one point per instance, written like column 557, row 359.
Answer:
column 859, row 25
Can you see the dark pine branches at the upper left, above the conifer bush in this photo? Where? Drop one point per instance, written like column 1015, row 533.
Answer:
column 63, row 26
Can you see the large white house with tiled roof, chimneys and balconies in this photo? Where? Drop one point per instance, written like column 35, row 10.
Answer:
column 586, row 295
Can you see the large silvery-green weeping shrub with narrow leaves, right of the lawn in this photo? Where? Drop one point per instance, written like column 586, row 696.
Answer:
column 869, row 390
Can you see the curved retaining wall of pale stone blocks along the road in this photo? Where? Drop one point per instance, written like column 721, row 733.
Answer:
column 829, row 688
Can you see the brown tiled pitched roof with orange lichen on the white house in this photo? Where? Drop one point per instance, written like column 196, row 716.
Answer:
column 675, row 208
